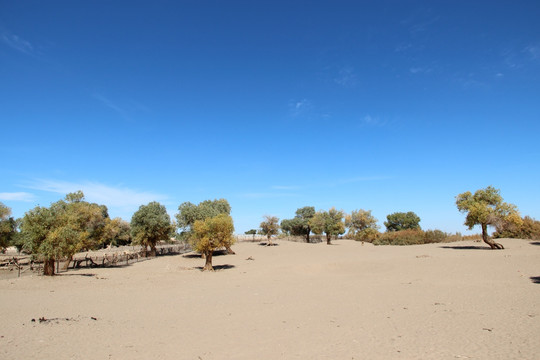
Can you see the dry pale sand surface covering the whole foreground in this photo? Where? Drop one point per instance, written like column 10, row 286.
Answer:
column 292, row 301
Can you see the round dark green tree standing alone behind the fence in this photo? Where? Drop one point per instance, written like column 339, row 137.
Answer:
column 149, row 225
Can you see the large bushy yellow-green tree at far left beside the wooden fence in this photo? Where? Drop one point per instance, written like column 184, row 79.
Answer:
column 67, row 226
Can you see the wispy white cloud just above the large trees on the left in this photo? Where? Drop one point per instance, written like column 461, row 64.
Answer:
column 112, row 196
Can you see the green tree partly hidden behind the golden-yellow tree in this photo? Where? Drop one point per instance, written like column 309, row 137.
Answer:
column 188, row 213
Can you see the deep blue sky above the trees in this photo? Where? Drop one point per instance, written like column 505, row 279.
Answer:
column 274, row 105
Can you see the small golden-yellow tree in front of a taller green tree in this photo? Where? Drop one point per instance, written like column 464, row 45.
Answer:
column 210, row 234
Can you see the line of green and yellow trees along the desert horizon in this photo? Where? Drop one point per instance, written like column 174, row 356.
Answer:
column 72, row 224
